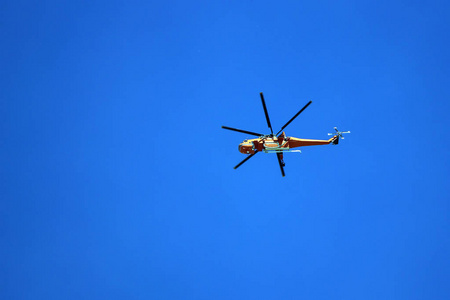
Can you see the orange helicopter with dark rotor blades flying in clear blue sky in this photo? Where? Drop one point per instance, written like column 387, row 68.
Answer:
column 279, row 143
